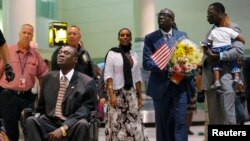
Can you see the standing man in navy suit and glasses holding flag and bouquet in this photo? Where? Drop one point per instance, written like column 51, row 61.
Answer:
column 170, row 100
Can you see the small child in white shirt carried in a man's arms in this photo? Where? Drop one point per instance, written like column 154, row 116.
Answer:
column 219, row 40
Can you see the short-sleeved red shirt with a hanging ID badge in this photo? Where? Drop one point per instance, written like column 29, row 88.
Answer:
column 26, row 66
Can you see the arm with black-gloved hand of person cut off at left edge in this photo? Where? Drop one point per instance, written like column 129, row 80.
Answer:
column 5, row 55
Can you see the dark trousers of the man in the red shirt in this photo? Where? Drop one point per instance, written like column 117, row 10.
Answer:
column 11, row 106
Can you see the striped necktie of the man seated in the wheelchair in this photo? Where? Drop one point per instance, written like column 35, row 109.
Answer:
column 61, row 93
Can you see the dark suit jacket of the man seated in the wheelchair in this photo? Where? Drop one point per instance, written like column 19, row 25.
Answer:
column 79, row 100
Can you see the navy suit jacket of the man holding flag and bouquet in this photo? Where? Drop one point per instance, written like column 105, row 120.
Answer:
column 158, row 80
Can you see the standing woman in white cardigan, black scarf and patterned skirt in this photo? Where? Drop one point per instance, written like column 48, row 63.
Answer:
column 123, row 79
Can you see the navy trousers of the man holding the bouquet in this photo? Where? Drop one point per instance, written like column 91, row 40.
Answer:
column 171, row 113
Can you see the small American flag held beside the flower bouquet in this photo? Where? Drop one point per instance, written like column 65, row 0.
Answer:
column 163, row 55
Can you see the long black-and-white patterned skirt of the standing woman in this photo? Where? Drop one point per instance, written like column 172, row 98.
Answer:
column 124, row 122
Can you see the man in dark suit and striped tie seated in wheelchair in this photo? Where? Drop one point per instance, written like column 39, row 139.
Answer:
column 79, row 100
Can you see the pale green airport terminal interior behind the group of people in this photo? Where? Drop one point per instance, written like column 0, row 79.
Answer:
column 100, row 20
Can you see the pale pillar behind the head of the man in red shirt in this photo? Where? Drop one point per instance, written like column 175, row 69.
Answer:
column 15, row 14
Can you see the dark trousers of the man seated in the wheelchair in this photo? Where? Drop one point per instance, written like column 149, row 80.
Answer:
column 38, row 129
